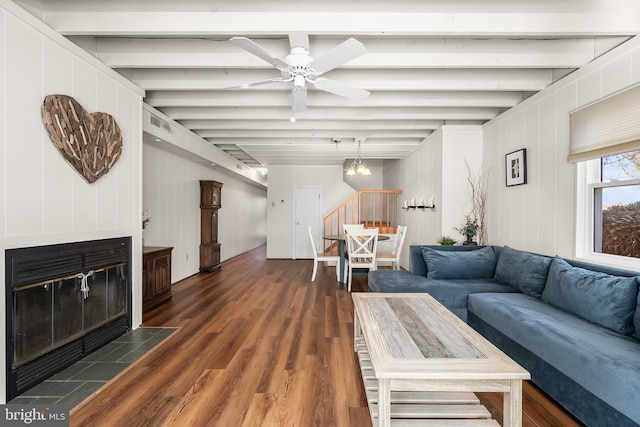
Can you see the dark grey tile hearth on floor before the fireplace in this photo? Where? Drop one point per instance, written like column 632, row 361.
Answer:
column 74, row 384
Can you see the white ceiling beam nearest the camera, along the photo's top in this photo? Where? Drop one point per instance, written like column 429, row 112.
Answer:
column 608, row 21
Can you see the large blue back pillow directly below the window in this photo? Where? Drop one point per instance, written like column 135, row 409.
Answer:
column 607, row 300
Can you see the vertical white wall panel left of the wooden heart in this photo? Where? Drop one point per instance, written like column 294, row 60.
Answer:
column 23, row 133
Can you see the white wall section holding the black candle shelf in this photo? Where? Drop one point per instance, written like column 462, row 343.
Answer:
column 436, row 169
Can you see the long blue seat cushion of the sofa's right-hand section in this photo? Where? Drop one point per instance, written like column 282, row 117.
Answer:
column 600, row 360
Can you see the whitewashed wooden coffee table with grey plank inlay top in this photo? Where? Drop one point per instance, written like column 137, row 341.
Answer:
column 410, row 343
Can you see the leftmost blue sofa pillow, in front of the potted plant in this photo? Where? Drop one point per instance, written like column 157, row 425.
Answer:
column 476, row 264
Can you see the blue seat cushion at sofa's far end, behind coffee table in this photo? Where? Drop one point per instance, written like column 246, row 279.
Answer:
column 450, row 293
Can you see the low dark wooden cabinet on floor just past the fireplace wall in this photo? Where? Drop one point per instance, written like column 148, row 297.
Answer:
column 156, row 276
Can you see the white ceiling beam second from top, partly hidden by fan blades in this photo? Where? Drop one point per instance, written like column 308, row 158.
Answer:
column 381, row 53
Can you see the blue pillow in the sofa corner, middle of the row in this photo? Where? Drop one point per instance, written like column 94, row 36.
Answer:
column 523, row 271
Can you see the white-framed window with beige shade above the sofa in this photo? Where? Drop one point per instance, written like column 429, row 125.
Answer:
column 605, row 145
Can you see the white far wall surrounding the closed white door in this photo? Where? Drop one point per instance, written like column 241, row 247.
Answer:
column 283, row 182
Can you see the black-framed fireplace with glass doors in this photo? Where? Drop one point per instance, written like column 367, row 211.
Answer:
column 63, row 302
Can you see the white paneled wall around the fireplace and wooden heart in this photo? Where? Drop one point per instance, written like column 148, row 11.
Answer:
column 42, row 199
